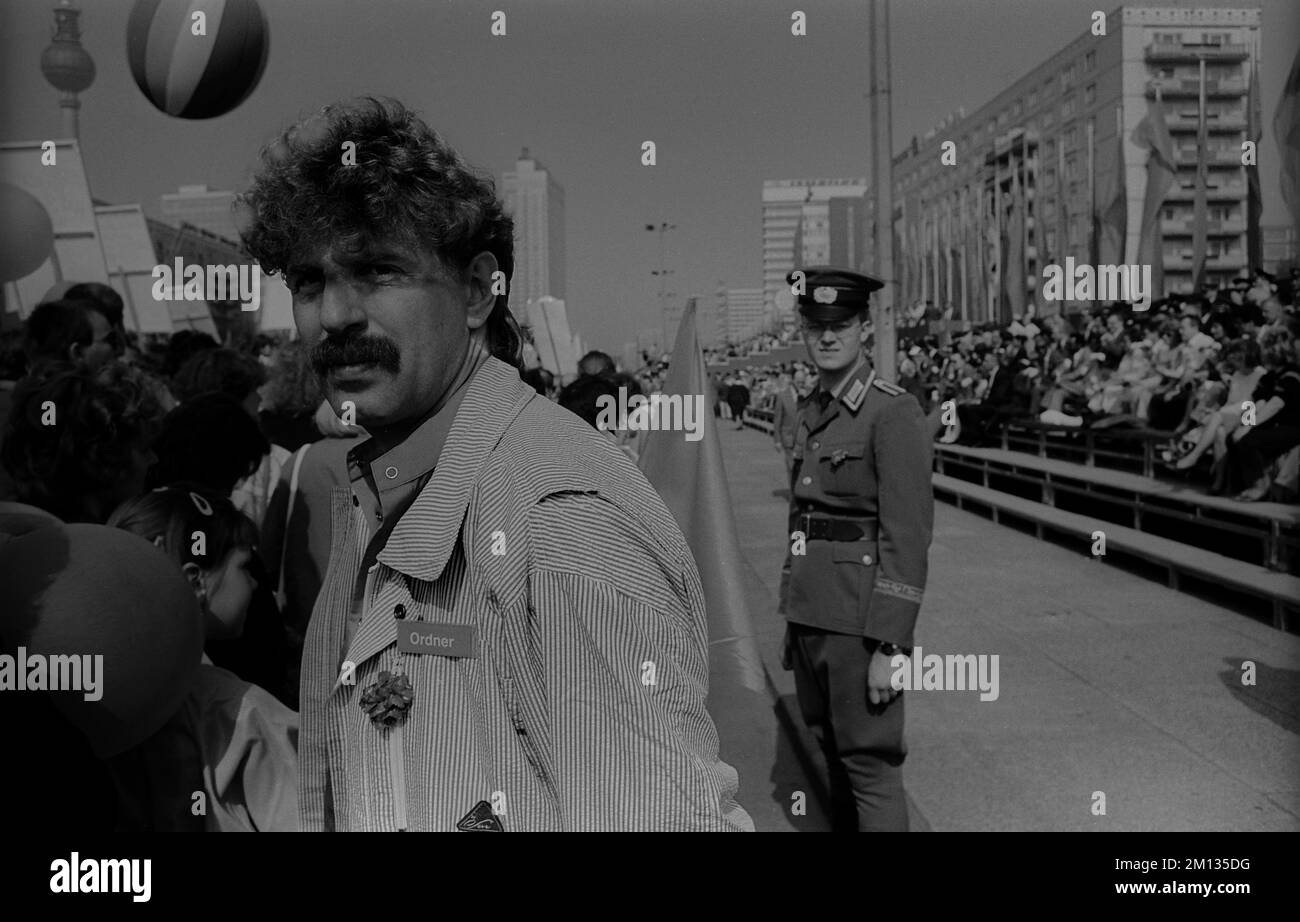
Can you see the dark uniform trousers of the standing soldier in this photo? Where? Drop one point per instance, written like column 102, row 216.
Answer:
column 864, row 751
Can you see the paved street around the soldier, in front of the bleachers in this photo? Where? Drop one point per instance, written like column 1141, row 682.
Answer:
column 1108, row 683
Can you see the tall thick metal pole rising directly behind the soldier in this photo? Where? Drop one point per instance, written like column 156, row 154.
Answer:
column 882, row 170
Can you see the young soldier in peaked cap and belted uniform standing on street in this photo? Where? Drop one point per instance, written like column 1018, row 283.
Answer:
column 863, row 514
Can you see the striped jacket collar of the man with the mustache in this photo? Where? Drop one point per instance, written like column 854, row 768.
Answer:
column 423, row 540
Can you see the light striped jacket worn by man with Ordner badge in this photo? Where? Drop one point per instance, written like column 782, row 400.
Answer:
column 584, row 708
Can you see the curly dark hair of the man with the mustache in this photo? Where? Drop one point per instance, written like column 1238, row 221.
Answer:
column 409, row 187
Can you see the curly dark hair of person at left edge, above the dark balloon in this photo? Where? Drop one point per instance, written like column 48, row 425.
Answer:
column 102, row 422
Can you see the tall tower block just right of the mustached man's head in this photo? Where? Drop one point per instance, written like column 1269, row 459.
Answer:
column 538, row 205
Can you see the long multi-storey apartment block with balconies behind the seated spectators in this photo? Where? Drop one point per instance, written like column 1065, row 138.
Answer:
column 1032, row 178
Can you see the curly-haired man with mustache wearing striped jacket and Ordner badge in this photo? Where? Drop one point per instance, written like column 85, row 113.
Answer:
column 512, row 631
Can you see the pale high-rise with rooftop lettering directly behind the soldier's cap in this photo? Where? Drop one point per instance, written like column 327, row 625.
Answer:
column 813, row 223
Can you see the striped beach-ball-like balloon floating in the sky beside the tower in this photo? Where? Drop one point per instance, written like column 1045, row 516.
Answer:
column 197, row 76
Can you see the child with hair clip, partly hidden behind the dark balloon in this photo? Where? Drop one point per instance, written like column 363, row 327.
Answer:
column 246, row 739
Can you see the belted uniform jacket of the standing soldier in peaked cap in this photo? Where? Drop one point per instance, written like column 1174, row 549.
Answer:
column 866, row 458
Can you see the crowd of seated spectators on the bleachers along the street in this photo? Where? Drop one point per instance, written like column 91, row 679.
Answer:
column 1215, row 378
